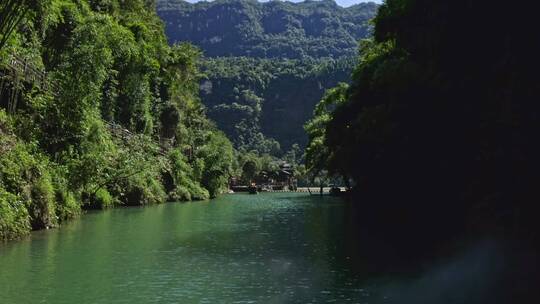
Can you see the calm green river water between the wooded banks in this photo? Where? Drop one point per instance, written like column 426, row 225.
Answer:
column 269, row 248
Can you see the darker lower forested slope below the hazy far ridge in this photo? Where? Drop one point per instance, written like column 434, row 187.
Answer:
column 257, row 100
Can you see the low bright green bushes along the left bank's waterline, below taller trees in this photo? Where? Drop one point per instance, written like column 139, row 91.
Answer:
column 38, row 191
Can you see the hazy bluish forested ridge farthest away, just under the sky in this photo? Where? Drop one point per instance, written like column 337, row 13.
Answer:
column 265, row 30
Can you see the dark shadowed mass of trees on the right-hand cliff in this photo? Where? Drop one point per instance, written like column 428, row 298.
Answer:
column 442, row 117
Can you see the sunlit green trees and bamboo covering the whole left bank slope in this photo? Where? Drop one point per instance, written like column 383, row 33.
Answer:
column 118, row 122
